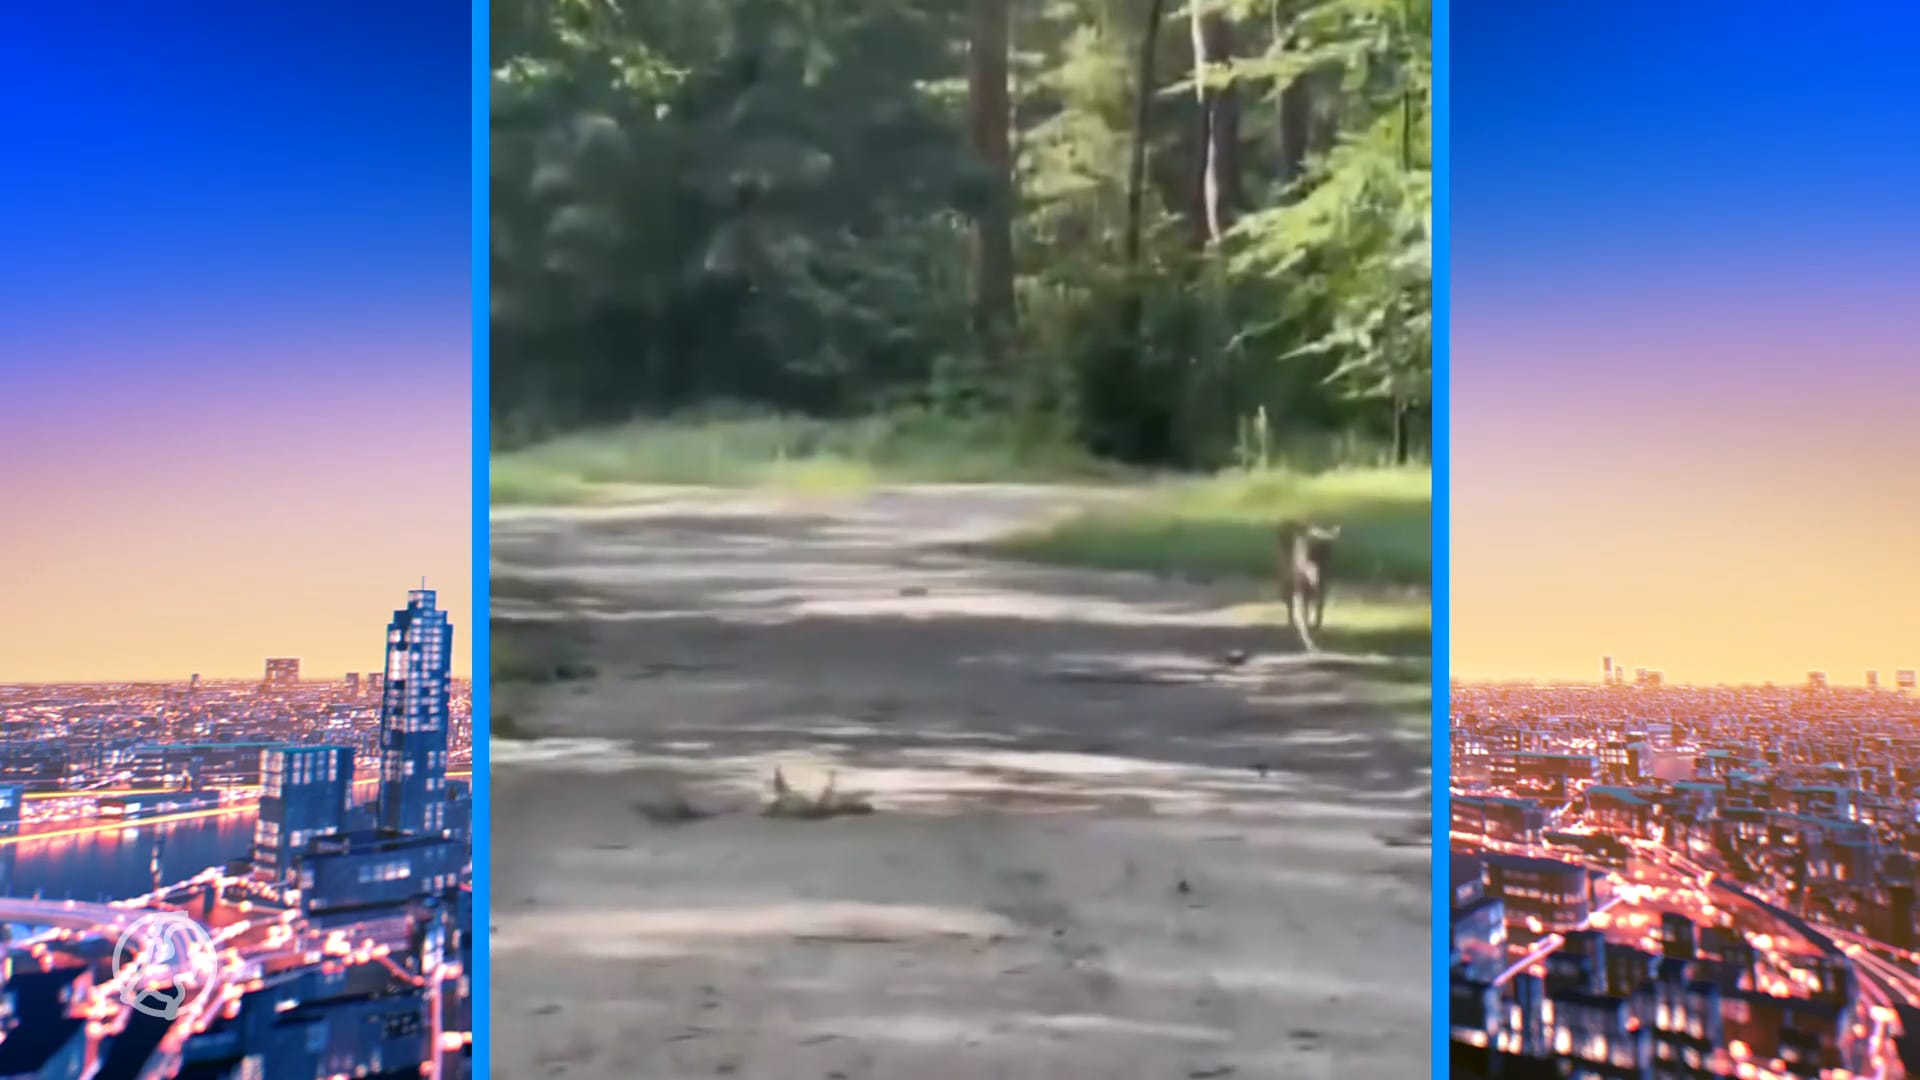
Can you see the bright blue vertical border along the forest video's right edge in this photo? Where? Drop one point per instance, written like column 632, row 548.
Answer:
column 1443, row 566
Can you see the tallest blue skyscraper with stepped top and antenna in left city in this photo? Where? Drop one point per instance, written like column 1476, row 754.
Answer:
column 414, row 718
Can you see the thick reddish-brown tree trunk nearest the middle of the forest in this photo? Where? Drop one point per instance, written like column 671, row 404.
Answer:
column 992, row 135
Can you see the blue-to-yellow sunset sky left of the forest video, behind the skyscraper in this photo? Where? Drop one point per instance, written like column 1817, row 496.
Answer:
column 235, row 370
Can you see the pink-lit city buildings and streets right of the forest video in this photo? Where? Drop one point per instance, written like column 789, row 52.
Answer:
column 1740, row 854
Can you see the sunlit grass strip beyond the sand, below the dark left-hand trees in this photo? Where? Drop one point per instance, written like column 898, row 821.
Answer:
column 782, row 453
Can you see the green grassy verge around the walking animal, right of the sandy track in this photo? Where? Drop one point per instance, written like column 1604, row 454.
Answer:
column 1224, row 528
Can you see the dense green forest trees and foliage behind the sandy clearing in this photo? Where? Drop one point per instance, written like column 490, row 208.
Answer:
column 1168, row 233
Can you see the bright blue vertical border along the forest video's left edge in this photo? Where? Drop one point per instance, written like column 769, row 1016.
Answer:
column 483, row 716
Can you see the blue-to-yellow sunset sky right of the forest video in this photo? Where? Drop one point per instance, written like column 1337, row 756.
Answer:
column 1687, row 341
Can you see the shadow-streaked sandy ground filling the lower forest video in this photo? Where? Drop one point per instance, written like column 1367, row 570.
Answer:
column 1095, row 850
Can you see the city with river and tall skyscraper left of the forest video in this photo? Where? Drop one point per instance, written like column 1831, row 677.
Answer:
column 314, row 835
